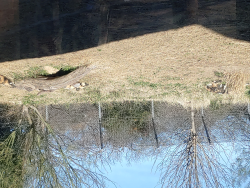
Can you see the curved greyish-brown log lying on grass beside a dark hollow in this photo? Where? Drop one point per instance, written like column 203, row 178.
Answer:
column 54, row 84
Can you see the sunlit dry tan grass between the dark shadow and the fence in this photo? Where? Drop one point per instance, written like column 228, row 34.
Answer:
column 187, row 56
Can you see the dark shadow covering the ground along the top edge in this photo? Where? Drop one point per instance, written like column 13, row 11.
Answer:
column 49, row 27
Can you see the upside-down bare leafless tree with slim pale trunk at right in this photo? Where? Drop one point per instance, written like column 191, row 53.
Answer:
column 195, row 163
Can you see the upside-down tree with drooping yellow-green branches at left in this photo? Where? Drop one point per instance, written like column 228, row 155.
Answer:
column 46, row 160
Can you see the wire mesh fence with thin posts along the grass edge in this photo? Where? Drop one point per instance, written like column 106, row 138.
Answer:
column 149, row 123
